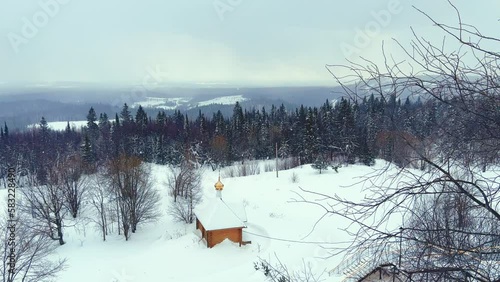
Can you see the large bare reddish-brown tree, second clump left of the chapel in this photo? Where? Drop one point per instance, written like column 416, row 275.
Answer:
column 137, row 199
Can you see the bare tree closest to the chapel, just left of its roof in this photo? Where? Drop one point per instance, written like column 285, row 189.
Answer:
column 185, row 187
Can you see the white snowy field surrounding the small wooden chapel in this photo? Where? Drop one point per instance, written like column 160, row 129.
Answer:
column 171, row 251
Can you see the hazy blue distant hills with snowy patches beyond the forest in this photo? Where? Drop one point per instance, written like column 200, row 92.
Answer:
column 20, row 107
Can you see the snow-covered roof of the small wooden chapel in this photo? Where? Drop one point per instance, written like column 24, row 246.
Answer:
column 218, row 215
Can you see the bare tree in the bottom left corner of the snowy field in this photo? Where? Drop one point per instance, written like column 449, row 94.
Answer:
column 32, row 252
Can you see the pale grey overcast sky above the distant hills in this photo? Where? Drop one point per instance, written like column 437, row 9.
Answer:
column 234, row 41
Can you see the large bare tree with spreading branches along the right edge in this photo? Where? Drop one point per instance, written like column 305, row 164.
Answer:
column 451, row 208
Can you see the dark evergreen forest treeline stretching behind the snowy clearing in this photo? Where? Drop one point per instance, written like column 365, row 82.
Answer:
column 344, row 131
